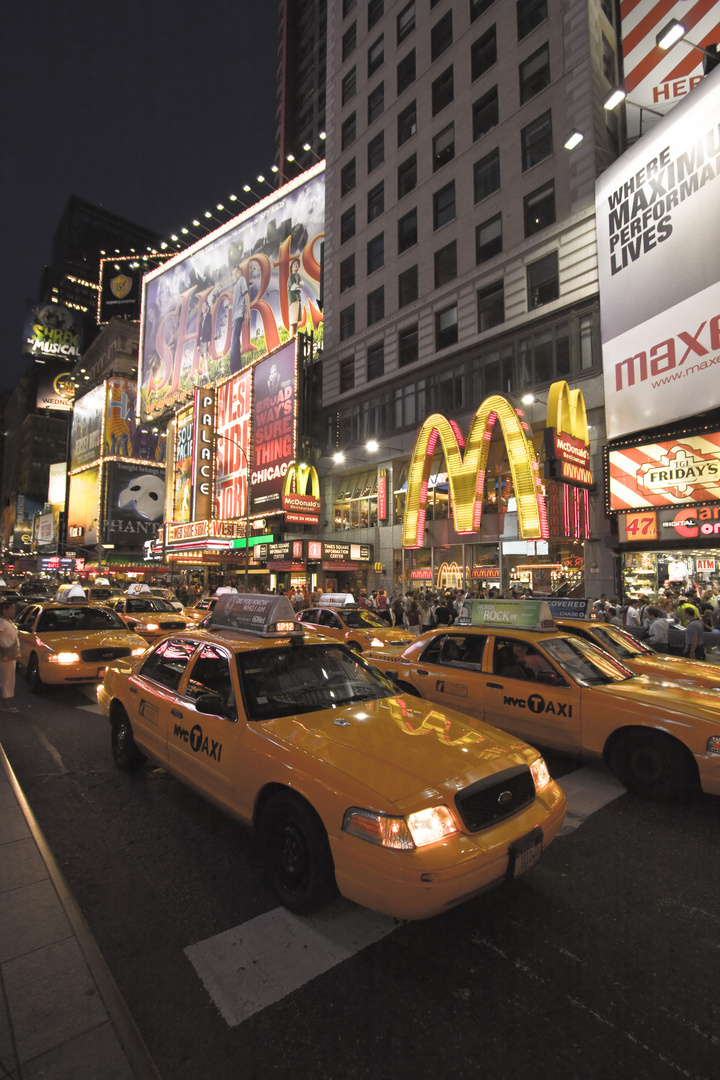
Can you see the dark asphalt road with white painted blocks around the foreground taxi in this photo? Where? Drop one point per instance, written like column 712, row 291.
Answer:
column 602, row 962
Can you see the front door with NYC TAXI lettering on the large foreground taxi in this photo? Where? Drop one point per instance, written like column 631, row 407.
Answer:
column 202, row 745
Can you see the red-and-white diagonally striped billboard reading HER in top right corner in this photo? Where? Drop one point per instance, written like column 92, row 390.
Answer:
column 657, row 79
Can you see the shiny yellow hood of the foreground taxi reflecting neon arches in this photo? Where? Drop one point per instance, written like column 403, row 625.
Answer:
column 400, row 747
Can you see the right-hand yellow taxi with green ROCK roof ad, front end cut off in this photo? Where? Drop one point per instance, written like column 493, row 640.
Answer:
column 507, row 664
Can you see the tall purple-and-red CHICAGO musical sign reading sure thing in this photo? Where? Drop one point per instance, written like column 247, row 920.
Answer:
column 275, row 397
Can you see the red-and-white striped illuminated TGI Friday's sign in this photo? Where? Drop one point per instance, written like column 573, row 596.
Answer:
column 676, row 471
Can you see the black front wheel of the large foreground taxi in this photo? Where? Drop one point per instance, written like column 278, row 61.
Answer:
column 297, row 854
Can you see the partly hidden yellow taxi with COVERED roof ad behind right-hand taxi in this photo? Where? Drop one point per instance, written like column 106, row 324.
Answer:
column 575, row 617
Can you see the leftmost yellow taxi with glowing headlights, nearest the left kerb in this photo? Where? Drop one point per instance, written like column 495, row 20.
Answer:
column 72, row 641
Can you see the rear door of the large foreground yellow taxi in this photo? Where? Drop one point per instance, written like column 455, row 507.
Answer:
column 154, row 694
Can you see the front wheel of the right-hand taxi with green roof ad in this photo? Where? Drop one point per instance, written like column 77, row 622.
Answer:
column 655, row 766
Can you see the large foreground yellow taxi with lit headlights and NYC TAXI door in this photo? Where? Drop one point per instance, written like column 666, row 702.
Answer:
column 350, row 786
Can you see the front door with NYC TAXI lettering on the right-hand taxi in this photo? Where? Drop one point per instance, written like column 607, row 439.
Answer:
column 528, row 695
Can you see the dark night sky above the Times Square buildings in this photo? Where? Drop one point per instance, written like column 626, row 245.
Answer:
column 155, row 110
